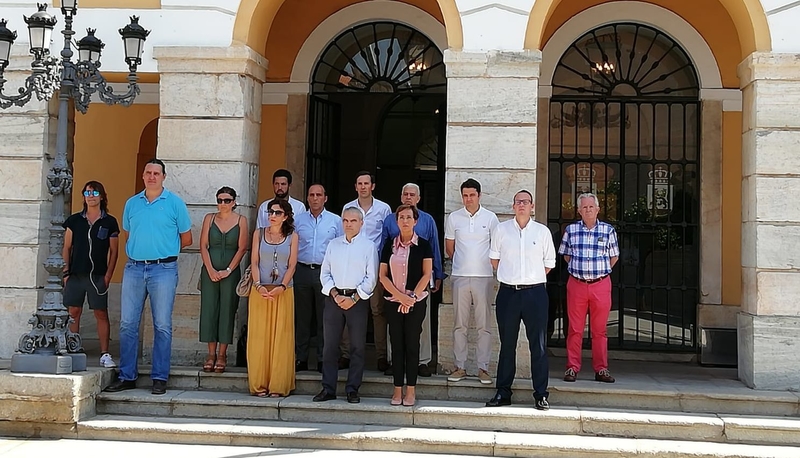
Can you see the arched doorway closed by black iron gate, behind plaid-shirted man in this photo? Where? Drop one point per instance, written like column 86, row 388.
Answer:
column 625, row 124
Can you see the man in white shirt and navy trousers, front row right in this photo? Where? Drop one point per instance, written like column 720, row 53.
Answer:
column 523, row 253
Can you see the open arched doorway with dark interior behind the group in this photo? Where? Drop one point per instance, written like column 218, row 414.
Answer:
column 377, row 99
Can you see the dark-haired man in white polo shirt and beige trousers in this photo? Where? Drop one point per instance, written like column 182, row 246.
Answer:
column 467, row 233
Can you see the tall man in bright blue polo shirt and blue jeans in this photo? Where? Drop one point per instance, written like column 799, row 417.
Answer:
column 158, row 226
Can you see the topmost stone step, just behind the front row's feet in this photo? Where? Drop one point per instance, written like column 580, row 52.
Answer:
column 640, row 393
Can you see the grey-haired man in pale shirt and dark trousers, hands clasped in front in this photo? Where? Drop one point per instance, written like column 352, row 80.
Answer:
column 349, row 273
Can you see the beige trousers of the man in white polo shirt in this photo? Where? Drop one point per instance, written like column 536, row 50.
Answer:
column 469, row 291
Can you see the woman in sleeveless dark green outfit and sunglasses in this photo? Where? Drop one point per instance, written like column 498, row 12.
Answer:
column 223, row 243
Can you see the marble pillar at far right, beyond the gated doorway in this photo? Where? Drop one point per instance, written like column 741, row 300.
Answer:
column 769, row 324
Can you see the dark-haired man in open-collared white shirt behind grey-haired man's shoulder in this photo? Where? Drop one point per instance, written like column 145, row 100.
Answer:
column 375, row 211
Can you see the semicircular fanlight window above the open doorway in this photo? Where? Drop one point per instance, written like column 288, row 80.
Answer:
column 380, row 57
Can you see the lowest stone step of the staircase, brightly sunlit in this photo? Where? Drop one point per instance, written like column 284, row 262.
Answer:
column 348, row 436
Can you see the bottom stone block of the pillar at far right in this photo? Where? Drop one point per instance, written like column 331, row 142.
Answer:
column 768, row 347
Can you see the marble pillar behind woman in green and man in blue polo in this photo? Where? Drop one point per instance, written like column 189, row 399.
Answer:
column 208, row 136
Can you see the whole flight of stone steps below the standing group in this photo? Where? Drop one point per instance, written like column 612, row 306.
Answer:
column 629, row 418
